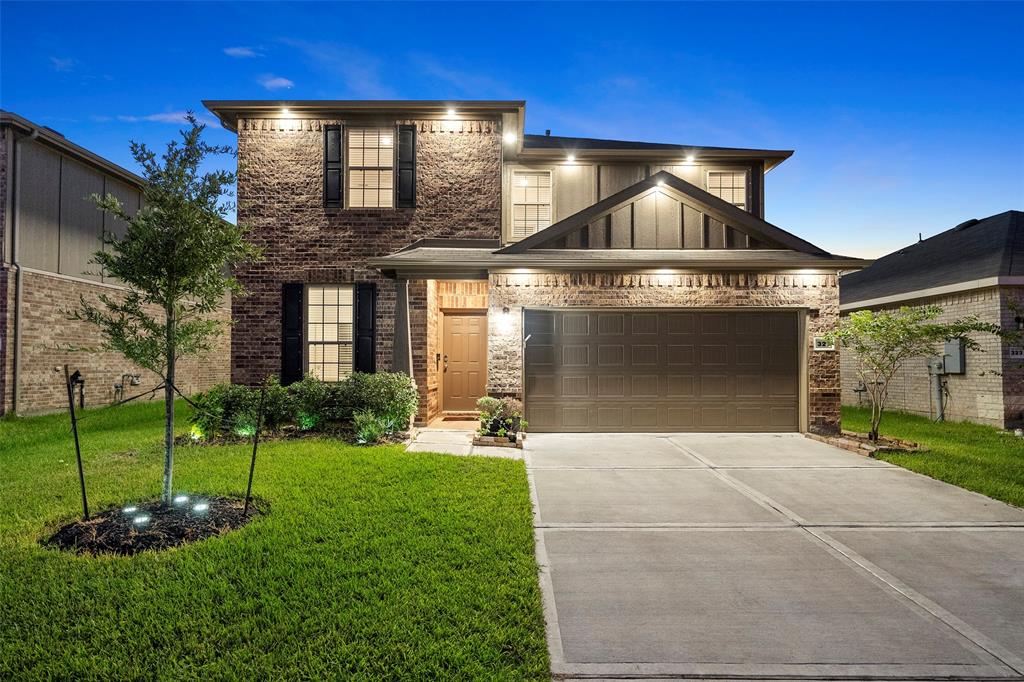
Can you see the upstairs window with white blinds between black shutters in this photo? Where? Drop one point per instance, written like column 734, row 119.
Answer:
column 371, row 167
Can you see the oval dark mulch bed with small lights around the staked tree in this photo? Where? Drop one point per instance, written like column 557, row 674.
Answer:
column 154, row 526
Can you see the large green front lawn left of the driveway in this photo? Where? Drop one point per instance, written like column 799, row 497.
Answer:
column 373, row 564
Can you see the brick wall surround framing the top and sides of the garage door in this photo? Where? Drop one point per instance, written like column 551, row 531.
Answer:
column 639, row 291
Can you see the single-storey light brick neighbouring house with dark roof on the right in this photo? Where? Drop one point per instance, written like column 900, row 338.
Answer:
column 976, row 269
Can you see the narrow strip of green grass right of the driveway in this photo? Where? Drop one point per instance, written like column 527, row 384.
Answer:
column 978, row 458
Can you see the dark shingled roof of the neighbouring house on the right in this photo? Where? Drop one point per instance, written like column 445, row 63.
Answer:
column 975, row 250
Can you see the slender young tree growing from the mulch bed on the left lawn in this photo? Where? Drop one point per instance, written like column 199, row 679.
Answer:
column 175, row 261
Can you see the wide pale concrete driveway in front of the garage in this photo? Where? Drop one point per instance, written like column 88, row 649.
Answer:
column 747, row 557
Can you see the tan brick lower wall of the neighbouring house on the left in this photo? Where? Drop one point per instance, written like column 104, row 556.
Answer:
column 50, row 340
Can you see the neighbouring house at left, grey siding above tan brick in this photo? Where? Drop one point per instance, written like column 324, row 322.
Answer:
column 49, row 232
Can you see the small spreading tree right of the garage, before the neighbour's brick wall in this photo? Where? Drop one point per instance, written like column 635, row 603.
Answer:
column 883, row 342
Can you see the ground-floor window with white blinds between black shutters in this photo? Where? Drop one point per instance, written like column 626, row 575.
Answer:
column 329, row 331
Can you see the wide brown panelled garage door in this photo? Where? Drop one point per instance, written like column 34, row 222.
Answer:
column 662, row 371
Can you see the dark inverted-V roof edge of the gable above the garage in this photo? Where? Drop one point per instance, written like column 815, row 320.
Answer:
column 717, row 208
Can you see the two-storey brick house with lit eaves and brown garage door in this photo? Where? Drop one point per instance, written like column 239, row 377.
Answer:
column 613, row 286
